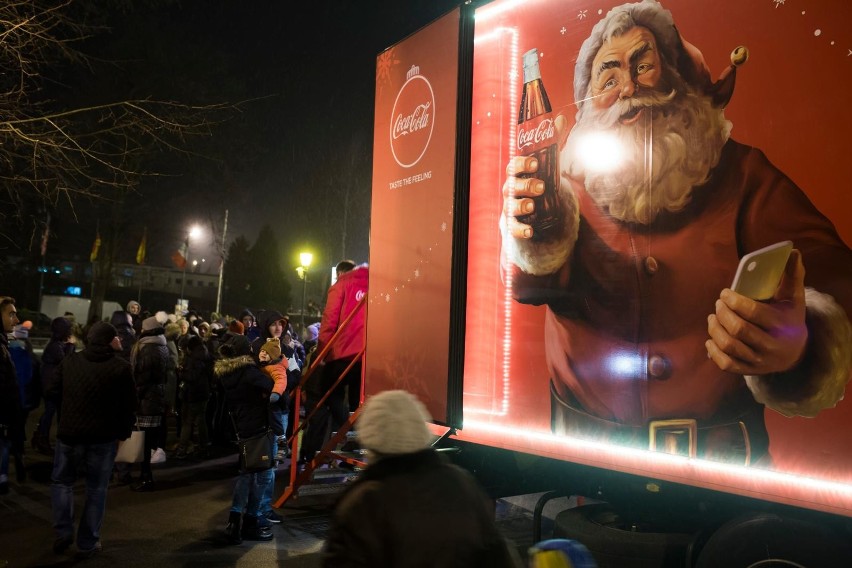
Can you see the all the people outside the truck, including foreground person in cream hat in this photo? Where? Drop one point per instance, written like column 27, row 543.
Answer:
column 230, row 379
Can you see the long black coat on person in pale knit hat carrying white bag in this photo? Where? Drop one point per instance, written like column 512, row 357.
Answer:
column 150, row 360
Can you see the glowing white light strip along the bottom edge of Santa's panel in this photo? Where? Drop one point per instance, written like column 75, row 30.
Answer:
column 834, row 496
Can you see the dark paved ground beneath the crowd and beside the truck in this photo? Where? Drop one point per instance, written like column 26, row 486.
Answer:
column 181, row 523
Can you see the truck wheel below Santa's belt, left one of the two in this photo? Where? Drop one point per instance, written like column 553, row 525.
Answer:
column 618, row 541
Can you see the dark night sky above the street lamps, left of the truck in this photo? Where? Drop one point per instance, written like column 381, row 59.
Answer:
column 297, row 155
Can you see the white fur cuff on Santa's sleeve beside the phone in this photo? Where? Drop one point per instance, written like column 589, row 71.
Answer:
column 820, row 382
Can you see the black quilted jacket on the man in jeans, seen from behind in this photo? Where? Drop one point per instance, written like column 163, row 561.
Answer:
column 98, row 398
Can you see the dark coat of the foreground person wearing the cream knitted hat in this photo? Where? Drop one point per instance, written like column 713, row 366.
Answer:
column 415, row 511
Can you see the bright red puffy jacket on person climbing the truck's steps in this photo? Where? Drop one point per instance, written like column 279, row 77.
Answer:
column 342, row 299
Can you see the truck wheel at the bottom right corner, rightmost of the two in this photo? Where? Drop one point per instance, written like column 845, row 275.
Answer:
column 765, row 540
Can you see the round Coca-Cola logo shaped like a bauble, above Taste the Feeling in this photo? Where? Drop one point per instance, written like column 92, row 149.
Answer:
column 412, row 119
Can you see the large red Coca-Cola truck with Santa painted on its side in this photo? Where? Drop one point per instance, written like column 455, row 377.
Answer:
column 605, row 355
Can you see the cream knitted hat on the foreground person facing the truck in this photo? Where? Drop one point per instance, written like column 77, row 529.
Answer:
column 394, row 422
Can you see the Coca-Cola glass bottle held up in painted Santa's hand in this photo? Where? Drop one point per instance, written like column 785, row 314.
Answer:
column 537, row 141
